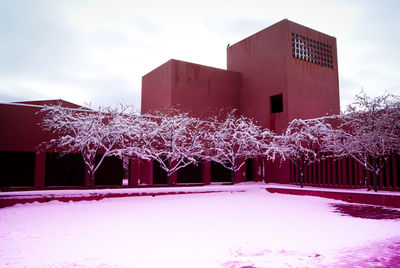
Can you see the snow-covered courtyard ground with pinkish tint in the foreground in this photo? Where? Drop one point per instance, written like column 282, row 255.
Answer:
column 248, row 228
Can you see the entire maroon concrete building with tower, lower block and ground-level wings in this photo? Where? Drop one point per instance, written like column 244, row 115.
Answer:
column 283, row 72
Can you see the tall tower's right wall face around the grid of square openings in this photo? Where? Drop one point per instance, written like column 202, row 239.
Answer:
column 313, row 90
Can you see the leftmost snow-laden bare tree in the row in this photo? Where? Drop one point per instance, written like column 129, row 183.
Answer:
column 90, row 132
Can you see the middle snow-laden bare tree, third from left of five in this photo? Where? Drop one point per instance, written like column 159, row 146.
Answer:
column 231, row 141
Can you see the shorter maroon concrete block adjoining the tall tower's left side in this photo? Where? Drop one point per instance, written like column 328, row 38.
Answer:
column 200, row 90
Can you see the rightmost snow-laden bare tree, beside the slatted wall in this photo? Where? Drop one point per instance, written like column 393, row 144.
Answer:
column 369, row 132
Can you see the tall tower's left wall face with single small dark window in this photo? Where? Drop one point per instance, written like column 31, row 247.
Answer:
column 261, row 59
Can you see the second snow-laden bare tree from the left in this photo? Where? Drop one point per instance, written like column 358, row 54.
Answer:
column 174, row 141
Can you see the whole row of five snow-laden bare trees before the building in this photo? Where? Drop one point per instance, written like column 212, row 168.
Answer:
column 368, row 131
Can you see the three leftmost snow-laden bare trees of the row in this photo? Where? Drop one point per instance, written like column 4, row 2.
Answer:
column 174, row 140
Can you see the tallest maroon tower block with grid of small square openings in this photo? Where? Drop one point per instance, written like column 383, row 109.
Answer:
column 287, row 71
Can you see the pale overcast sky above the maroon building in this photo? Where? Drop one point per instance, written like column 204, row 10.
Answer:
column 96, row 51
